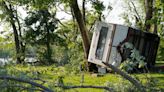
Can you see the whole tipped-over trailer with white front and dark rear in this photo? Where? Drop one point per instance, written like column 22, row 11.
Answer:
column 107, row 41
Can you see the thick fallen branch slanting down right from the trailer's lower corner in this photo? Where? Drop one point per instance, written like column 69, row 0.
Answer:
column 126, row 76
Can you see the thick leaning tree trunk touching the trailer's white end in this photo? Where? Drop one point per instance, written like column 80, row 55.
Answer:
column 84, row 32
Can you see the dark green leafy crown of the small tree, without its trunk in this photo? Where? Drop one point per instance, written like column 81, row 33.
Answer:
column 39, row 23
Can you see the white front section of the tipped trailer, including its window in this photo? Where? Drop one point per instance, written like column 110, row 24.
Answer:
column 103, row 45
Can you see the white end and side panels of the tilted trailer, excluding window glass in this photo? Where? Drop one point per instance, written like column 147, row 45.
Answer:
column 119, row 36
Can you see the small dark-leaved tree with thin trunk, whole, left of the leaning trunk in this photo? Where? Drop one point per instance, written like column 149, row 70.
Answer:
column 41, row 31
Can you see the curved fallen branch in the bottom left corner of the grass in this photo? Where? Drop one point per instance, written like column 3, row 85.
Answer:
column 26, row 81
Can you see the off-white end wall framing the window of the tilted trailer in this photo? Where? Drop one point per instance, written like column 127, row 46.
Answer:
column 95, row 38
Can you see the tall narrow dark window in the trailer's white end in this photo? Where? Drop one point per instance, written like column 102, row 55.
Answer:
column 101, row 43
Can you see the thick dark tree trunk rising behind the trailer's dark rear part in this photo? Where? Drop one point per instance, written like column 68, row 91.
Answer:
column 149, row 14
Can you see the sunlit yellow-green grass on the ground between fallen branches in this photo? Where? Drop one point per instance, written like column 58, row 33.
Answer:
column 51, row 75
